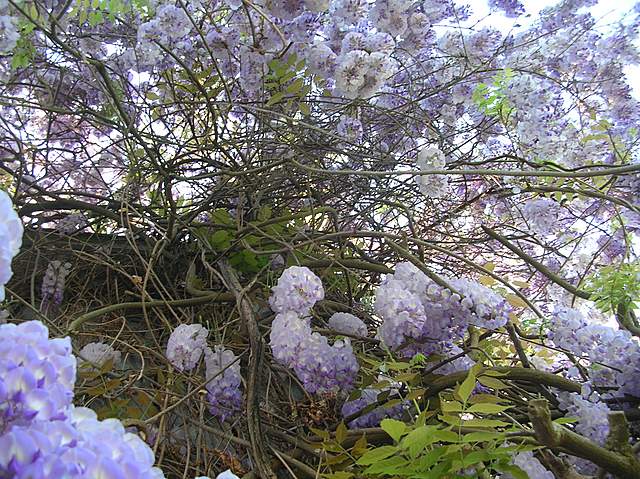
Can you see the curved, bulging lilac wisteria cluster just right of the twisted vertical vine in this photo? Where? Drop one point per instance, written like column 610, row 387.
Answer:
column 321, row 367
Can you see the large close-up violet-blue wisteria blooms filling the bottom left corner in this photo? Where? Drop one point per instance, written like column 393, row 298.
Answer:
column 42, row 435
